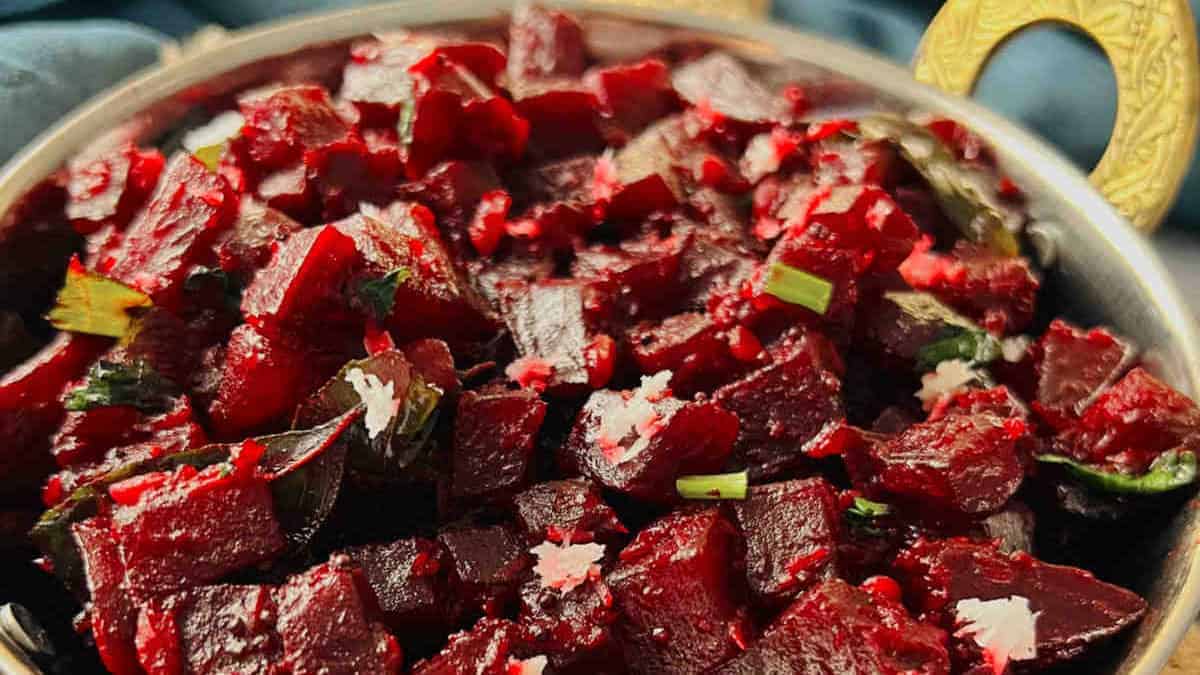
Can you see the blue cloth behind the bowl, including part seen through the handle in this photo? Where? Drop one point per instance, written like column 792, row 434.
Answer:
column 46, row 69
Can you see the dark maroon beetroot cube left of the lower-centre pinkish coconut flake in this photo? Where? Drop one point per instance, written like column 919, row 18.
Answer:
column 411, row 578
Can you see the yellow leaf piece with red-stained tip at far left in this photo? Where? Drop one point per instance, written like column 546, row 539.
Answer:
column 94, row 304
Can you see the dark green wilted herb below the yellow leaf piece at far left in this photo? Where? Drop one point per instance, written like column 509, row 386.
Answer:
column 123, row 385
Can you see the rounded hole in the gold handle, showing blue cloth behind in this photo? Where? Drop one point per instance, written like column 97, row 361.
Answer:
column 1058, row 82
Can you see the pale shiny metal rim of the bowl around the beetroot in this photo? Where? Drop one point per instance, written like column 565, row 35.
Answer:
column 51, row 150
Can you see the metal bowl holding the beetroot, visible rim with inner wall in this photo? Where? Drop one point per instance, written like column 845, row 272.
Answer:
column 1103, row 265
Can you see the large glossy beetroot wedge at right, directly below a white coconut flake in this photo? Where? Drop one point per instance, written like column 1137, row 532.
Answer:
column 965, row 464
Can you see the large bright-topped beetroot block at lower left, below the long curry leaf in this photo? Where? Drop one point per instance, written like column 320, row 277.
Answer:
column 194, row 528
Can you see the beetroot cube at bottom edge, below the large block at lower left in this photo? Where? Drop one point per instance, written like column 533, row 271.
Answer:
column 211, row 630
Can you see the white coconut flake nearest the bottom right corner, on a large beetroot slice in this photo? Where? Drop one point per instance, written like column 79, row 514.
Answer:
column 1005, row 629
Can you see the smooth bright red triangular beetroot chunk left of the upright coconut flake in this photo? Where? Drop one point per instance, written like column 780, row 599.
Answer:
column 263, row 381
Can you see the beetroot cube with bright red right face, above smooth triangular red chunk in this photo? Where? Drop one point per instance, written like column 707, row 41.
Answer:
column 303, row 284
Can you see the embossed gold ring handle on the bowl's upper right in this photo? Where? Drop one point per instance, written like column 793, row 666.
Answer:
column 1153, row 47
